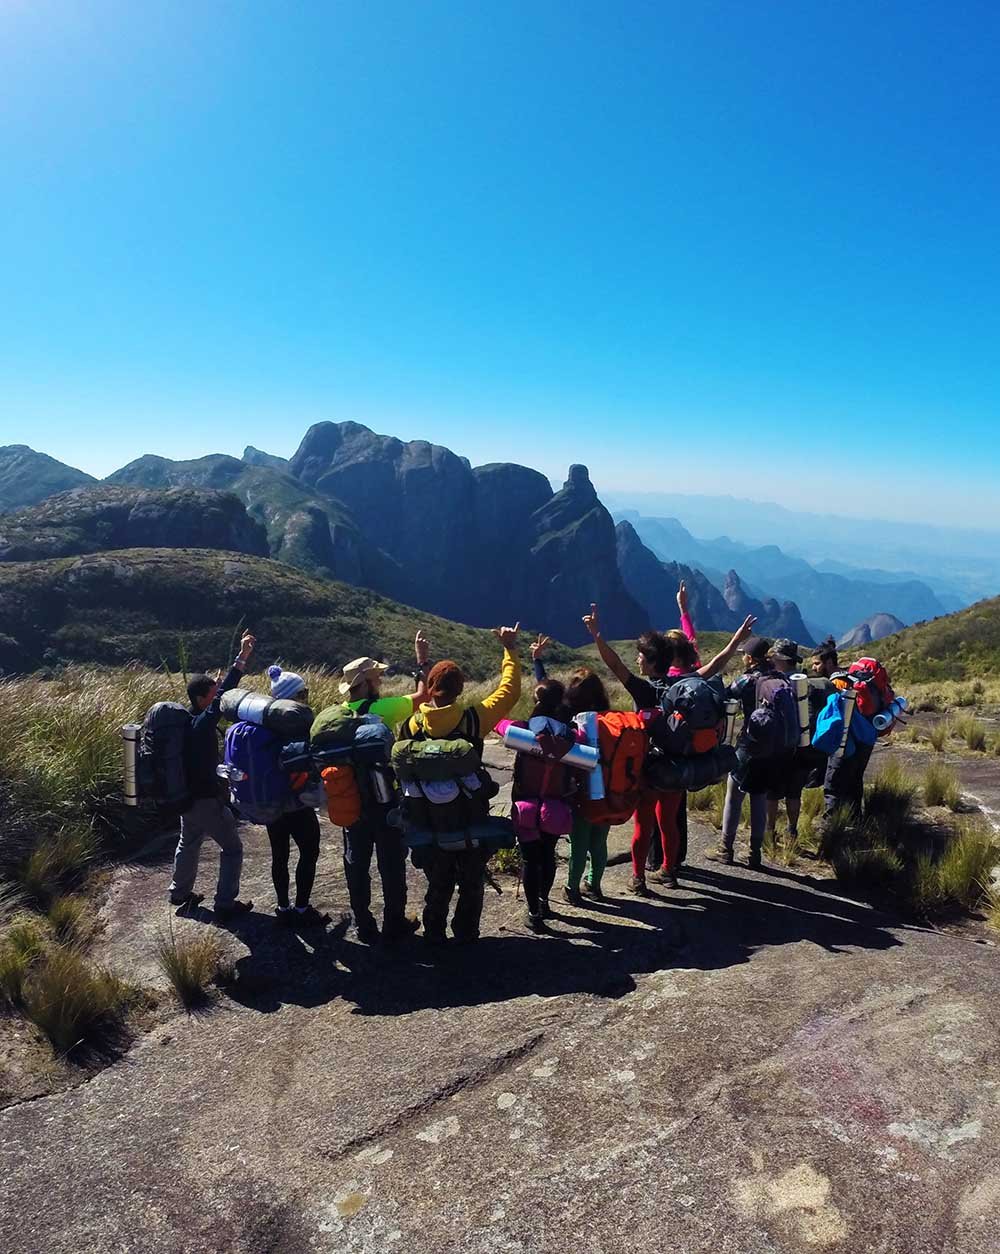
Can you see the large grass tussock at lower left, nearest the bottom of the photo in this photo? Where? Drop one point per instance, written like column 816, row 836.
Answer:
column 73, row 1003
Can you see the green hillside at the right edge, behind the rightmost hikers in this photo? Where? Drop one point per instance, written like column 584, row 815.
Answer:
column 960, row 646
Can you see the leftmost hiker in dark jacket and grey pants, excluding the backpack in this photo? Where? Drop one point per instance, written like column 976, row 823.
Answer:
column 206, row 813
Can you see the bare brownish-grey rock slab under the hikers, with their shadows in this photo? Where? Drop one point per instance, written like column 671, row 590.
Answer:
column 751, row 1064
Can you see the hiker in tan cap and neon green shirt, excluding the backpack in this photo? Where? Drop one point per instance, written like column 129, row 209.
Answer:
column 371, row 832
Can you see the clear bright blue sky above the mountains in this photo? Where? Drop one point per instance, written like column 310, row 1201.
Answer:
column 664, row 239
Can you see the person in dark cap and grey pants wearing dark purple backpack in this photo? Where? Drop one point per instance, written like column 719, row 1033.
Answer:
column 767, row 740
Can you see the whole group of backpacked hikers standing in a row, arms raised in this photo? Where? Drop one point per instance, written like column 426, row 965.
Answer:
column 382, row 764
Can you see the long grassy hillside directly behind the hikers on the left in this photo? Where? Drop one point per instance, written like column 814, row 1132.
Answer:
column 156, row 605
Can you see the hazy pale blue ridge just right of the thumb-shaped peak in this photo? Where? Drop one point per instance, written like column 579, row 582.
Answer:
column 832, row 601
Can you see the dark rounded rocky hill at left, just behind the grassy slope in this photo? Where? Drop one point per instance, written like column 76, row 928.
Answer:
column 105, row 519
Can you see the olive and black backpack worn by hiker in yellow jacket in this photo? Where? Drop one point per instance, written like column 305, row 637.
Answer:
column 446, row 791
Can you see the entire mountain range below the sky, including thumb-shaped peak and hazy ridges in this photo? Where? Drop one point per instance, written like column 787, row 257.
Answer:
column 418, row 525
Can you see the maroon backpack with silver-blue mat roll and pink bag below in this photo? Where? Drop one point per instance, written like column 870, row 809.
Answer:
column 545, row 783
